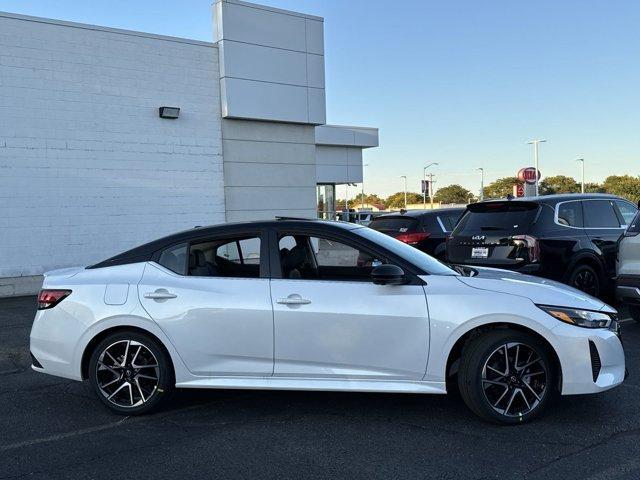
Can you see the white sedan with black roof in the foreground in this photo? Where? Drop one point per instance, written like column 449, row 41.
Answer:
column 310, row 305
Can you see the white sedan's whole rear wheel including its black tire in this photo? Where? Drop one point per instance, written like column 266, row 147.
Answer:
column 150, row 361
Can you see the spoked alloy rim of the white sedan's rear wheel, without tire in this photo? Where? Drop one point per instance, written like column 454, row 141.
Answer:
column 127, row 373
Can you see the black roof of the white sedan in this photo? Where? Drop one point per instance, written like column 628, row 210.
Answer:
column 144, row 252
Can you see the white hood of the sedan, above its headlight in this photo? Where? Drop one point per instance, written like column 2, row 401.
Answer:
column 540, row 290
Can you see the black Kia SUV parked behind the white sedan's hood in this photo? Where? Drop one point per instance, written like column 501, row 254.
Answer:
column 571, row 238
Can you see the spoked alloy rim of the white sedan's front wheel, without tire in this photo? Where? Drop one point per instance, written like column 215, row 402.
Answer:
column 514, row 379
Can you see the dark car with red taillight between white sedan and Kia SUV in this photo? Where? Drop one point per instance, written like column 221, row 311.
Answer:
column 426, row 230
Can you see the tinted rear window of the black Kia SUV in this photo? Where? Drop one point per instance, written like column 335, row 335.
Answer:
column 512, row 218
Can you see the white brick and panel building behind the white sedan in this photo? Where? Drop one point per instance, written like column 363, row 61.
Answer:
column 88, row 168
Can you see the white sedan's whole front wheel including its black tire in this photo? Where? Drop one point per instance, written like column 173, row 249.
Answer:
column 478, row 392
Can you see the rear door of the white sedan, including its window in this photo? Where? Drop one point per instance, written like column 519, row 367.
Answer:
column 211, row 297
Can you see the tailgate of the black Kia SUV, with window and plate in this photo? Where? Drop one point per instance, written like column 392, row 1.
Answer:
column 495, row 234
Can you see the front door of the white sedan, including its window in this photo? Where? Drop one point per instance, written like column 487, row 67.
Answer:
column 331, row 321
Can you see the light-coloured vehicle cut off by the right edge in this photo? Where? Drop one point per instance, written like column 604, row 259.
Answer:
column 628, row 269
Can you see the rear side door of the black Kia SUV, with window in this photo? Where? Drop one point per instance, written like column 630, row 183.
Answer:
column 604, row 228
